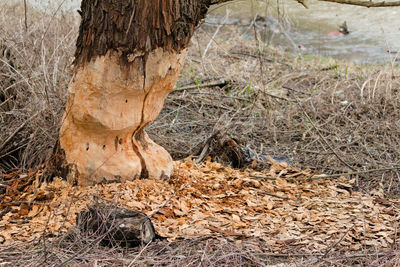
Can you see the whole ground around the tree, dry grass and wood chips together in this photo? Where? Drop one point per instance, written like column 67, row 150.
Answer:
column 311, row 114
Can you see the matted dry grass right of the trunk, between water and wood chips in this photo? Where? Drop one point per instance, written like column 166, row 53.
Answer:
column 323, row 114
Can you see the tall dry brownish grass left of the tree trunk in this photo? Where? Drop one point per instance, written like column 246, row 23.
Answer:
column 34, row 74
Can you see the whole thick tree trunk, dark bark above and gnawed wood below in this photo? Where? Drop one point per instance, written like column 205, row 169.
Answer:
column 128, row 58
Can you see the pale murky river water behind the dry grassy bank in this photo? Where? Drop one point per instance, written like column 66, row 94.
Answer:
column 374, row 33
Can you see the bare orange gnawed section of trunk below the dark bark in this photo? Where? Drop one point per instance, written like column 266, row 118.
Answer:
column 102, row 138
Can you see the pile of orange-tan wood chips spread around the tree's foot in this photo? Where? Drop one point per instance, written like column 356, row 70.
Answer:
column 288, row 208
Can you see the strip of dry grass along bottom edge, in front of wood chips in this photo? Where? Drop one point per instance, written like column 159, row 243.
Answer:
column 205, row 251
